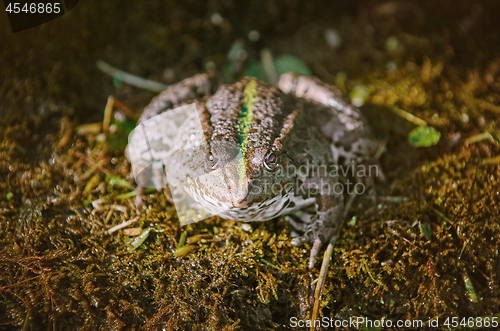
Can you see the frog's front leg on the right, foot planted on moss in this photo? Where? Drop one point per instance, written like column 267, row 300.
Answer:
column 326, row 224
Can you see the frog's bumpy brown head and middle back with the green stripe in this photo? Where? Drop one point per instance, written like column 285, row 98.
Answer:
column 246, row 158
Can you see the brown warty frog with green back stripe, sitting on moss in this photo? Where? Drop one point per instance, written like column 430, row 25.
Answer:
column 270, row 143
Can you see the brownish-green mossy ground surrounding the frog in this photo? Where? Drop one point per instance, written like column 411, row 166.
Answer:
column 428, row 250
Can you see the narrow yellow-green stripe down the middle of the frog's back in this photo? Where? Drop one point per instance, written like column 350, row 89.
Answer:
column 245, row 120
